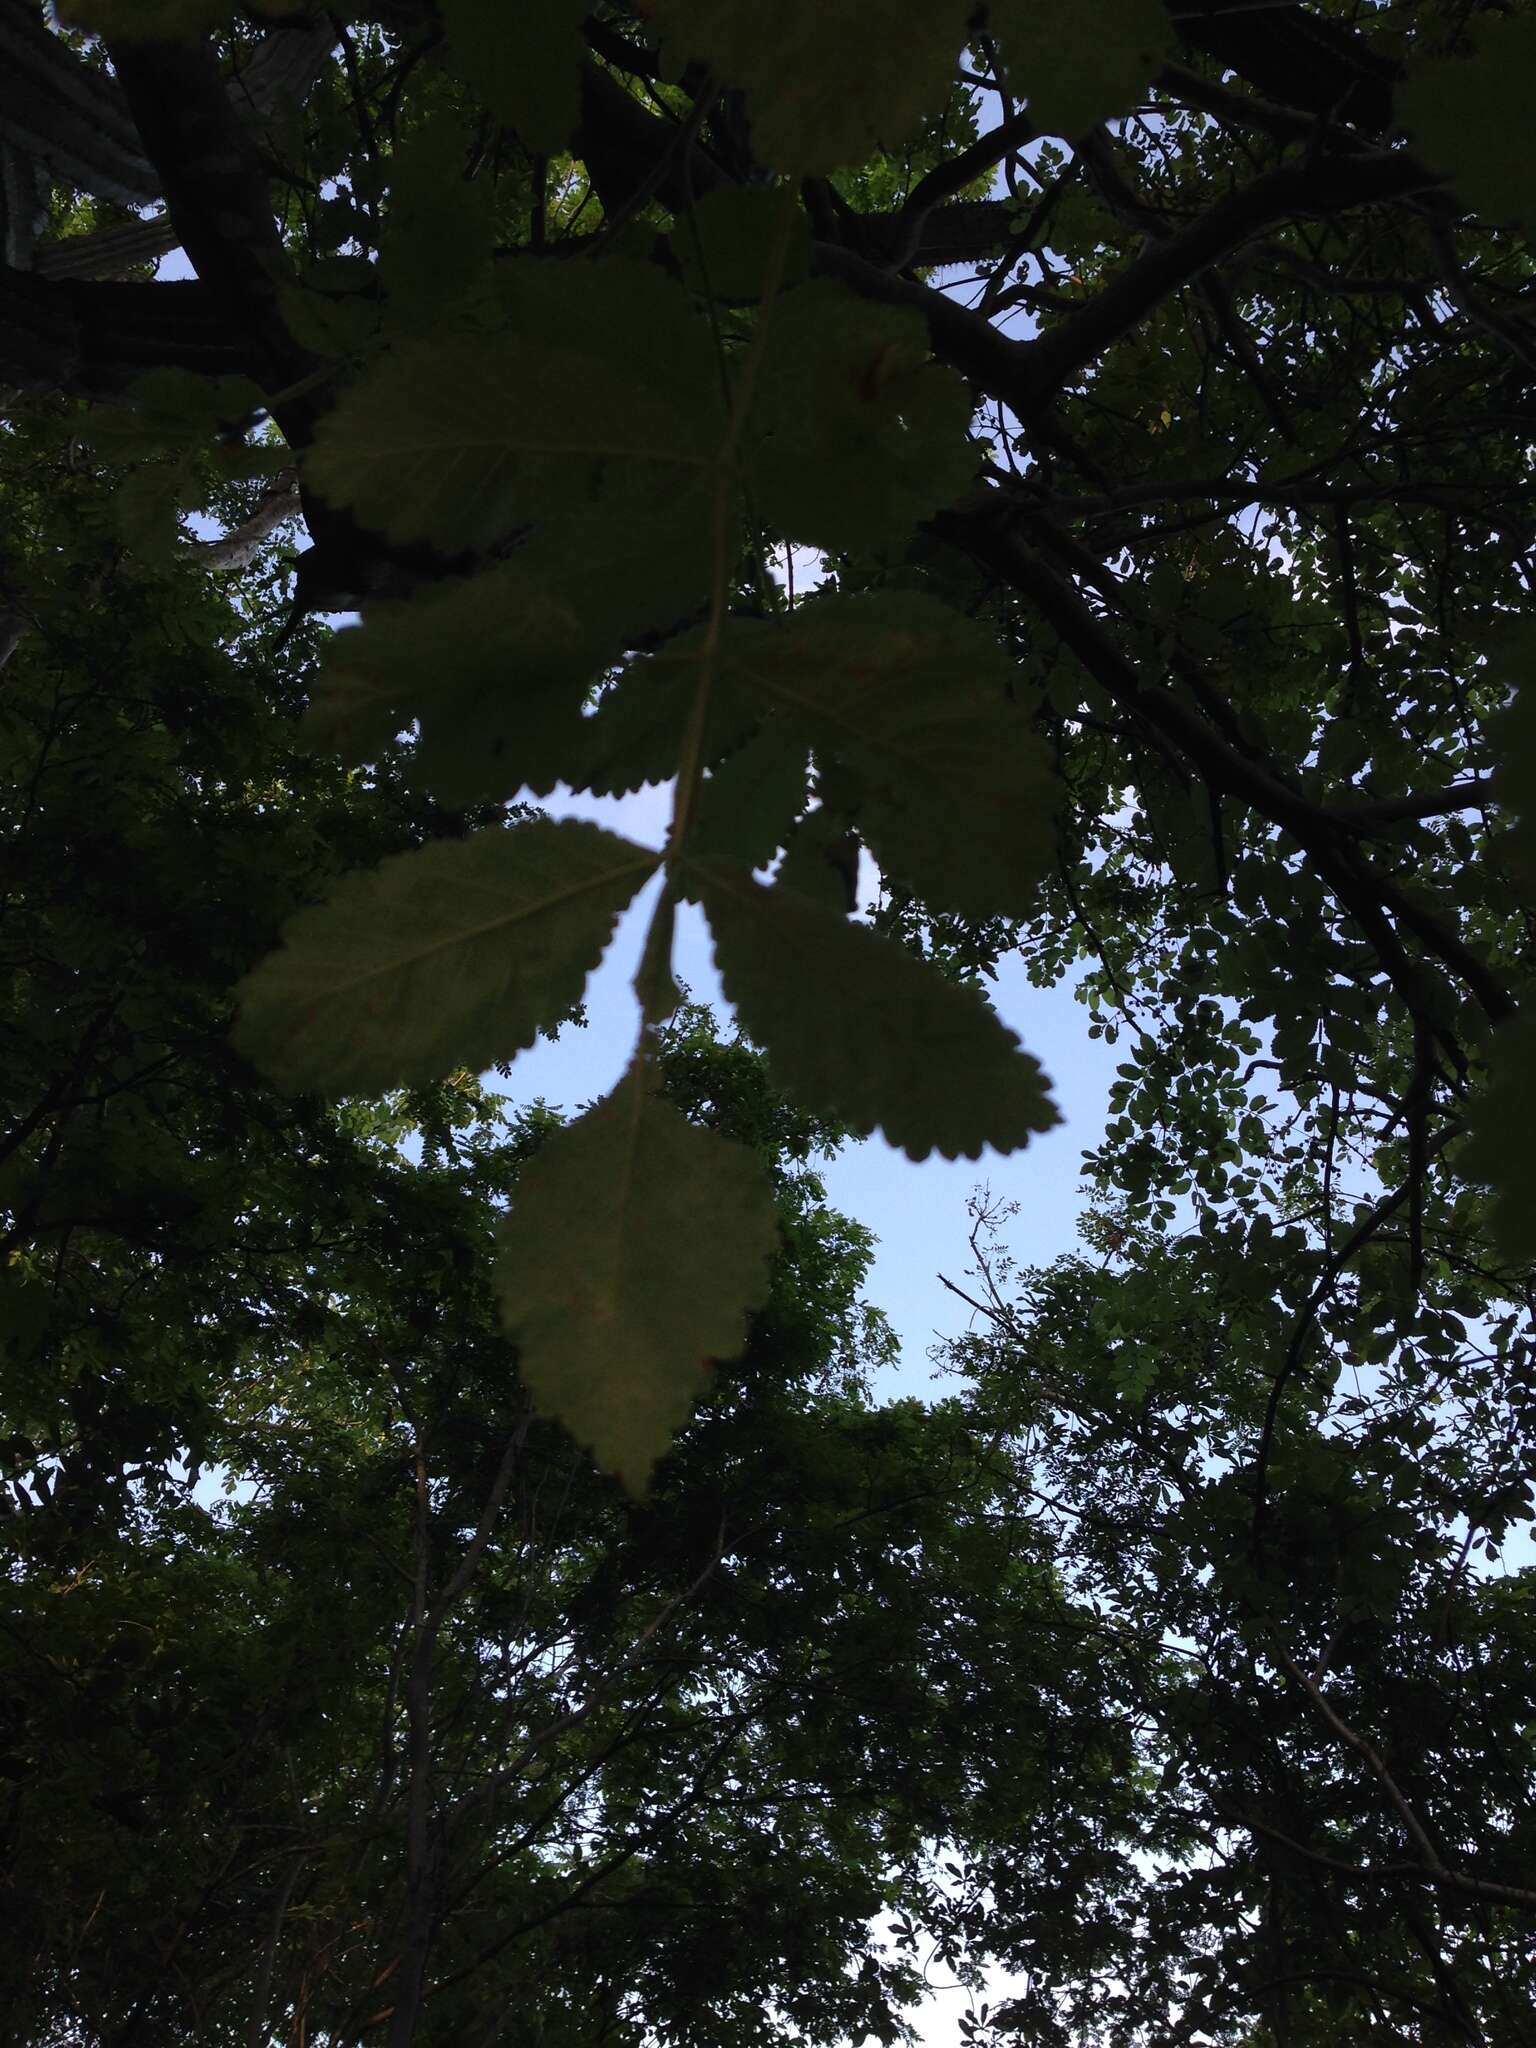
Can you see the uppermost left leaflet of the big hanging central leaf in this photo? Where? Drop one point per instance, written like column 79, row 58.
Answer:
column 597, row 402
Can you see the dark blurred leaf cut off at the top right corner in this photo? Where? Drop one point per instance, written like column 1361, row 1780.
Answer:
column 1471, row 118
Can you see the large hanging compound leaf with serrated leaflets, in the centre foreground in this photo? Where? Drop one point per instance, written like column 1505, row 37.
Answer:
column 599, row 413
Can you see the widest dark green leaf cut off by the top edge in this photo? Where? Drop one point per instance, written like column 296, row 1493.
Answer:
column 824, row 85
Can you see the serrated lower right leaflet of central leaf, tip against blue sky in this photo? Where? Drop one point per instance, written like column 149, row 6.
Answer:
column 890, row 1046
